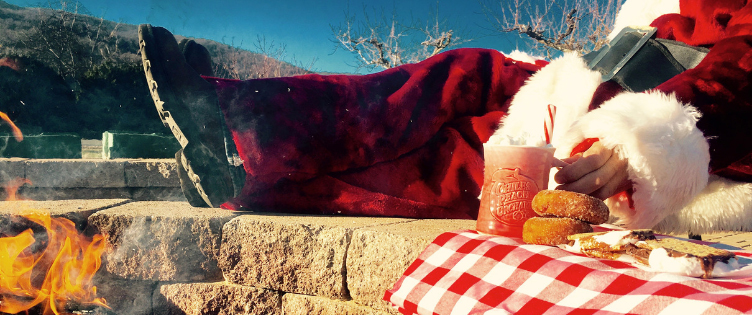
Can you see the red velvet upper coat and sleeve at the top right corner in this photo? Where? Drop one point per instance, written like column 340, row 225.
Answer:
column 720, row 86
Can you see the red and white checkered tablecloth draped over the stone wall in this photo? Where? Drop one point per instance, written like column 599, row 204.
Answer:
column 465, row 272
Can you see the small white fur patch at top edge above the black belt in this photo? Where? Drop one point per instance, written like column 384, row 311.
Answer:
column 642, row 13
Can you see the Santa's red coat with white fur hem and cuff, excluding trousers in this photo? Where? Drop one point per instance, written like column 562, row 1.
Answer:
column 682, row 141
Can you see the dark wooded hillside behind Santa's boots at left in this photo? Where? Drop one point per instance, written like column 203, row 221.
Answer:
column 64, row 72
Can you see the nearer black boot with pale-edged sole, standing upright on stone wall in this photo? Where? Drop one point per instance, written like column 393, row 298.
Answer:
column 187, row 104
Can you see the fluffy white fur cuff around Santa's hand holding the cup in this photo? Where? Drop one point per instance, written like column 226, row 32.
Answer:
column 667, row 154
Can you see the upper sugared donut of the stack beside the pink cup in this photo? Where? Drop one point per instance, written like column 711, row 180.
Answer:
column 567, row 204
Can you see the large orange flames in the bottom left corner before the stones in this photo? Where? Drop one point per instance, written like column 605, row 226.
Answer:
column 60, row 273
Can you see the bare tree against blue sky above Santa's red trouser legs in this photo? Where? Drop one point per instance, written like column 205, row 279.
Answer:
column 389, row 41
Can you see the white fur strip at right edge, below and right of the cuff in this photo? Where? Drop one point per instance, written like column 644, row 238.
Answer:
column 724, row 205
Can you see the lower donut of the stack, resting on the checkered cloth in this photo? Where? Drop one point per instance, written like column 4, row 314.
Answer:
column 552, row 231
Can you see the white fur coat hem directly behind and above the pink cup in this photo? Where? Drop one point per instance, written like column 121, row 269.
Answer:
column 566, row 83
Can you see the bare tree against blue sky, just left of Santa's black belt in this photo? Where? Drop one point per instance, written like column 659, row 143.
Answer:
column 555, row 25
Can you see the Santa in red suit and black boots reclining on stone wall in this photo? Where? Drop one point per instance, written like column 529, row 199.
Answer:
column 408, row 141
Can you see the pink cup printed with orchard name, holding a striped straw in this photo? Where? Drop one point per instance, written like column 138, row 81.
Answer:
column 512, row 177
